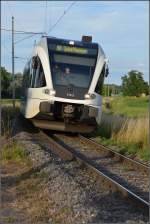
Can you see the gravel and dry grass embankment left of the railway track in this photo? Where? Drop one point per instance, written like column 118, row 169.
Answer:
column 40, row 187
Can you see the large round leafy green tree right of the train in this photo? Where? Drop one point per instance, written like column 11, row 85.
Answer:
column 133, row 84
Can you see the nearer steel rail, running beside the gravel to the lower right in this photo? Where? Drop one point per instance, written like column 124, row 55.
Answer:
column 58, row 145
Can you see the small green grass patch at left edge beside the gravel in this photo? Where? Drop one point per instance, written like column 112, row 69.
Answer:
column 14, row 152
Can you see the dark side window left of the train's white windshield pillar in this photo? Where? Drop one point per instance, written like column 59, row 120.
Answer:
column 38, row 77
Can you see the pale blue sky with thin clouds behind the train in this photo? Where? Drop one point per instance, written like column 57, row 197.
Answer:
column 120, row 27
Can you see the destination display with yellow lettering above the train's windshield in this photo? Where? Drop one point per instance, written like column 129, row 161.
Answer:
column 72, row 49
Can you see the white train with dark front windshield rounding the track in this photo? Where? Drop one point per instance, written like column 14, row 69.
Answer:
column 62, row 85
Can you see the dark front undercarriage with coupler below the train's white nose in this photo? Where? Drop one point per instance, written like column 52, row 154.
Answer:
column 66, row 117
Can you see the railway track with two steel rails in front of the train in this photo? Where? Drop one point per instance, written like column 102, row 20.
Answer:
column 119, row 173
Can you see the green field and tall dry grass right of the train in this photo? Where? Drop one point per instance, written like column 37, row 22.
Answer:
column 124, row 124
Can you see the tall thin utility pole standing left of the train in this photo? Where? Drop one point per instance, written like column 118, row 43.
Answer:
column 13, row 65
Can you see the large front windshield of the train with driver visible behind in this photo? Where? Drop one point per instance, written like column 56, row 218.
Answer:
column 73, row 67
